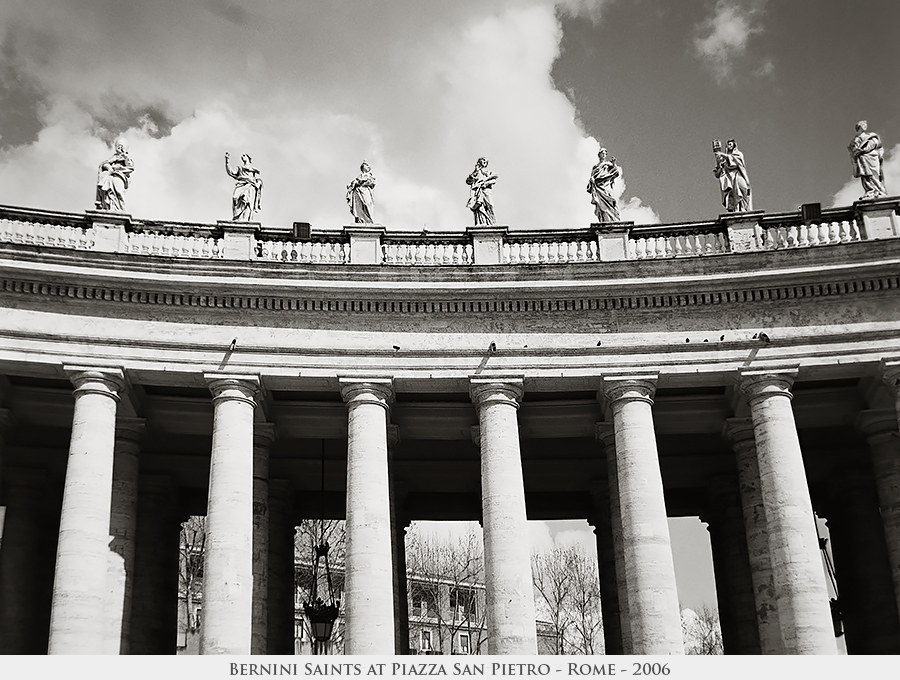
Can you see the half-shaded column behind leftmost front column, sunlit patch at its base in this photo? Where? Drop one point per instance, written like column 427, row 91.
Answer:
column 122, row 528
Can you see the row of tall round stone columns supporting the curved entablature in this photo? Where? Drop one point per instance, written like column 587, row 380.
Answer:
column 764, row 526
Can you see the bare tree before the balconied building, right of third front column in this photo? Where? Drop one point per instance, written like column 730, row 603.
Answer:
column 445, row 585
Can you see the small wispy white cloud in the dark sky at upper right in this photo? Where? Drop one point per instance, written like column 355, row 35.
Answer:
column 723, row 38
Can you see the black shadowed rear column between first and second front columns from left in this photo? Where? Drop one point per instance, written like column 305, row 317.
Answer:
column 154, row 598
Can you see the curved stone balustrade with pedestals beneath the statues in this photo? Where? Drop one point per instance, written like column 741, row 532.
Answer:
column 374, row 245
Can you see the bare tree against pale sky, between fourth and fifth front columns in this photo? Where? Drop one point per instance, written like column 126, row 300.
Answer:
column 567, row 583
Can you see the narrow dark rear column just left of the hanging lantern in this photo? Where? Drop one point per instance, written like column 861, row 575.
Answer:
column 280, row 582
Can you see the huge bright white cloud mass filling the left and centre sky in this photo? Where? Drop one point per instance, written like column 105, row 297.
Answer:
column 308, row 92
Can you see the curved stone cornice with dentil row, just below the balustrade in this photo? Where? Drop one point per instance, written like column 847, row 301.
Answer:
column 735, row 279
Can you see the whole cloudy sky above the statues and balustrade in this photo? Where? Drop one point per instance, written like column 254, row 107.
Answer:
column 421, row 89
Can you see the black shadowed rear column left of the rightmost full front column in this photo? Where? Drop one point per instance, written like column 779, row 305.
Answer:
column 731, row 565
